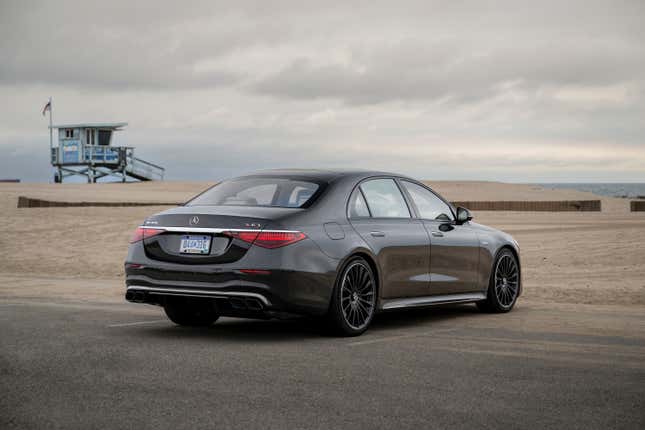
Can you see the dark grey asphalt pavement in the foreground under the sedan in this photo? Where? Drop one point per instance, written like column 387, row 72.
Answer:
column 66, row 364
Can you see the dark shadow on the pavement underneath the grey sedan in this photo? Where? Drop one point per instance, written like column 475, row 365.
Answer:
column 298, row 329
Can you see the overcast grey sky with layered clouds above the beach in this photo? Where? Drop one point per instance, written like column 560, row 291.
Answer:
column 534, row 92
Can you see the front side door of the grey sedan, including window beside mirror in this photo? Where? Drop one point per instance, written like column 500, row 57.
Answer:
column 454, row 248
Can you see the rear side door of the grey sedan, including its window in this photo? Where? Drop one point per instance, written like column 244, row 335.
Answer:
column 380, row 215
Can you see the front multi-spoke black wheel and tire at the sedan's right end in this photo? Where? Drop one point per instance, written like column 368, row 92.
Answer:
column 504, row 284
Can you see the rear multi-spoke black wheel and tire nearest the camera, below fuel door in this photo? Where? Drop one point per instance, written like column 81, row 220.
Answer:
column 353, row 303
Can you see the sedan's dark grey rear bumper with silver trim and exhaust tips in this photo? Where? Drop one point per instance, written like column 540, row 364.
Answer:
column 297, row 279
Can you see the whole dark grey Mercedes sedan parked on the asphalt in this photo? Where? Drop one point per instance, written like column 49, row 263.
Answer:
column 339, row 244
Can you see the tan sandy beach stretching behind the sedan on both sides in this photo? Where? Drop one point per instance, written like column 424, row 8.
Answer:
column 569, row 258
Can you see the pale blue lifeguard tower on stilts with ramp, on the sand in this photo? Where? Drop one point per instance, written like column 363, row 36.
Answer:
column 86, row 150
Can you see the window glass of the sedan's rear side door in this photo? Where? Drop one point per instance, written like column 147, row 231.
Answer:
column 385, row 199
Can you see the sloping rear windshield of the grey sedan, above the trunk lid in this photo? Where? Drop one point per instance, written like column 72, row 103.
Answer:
column 260, row 191
